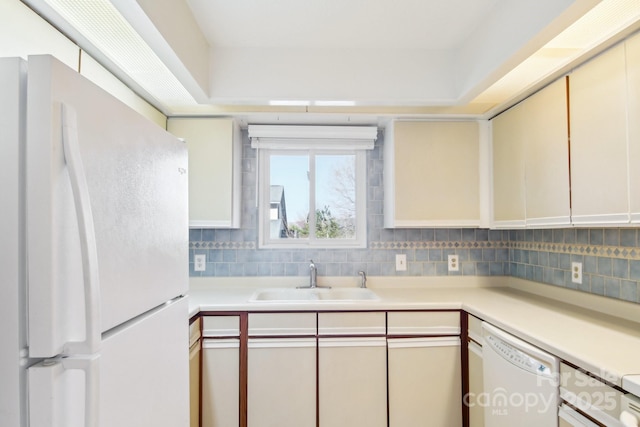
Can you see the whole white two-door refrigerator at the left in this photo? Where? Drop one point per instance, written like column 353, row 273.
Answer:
column 94, row 256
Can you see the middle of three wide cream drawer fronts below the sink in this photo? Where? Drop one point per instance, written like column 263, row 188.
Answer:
column 373, row 323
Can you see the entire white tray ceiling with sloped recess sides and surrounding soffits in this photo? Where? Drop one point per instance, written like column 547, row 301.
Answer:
column 343, row 61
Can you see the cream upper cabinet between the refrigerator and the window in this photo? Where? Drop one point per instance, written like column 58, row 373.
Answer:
column 215, row 151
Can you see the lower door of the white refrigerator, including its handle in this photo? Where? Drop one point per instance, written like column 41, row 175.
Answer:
column 140, row 378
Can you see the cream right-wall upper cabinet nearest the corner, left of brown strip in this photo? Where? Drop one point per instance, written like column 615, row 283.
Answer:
column 531, row 162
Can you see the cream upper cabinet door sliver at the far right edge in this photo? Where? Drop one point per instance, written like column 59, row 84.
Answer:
column 633, row 84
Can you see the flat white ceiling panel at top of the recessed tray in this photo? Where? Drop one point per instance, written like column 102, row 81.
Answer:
column 340, row 24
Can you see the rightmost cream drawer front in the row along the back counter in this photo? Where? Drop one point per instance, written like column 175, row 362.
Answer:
column 423, row 323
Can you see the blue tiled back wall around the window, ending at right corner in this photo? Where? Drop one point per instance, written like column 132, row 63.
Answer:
column 235, row 253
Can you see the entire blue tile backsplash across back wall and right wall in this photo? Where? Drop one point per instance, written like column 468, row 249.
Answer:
column 610, row 257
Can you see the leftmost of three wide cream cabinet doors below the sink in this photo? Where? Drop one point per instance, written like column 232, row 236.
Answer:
column 281, row 388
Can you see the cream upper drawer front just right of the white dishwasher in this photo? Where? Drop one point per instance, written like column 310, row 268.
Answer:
column 589, row 395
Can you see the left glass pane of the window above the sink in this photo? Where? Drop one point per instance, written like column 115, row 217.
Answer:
column 289, row 209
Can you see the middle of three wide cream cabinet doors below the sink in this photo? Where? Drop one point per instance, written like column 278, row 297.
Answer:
column 352, row 382
